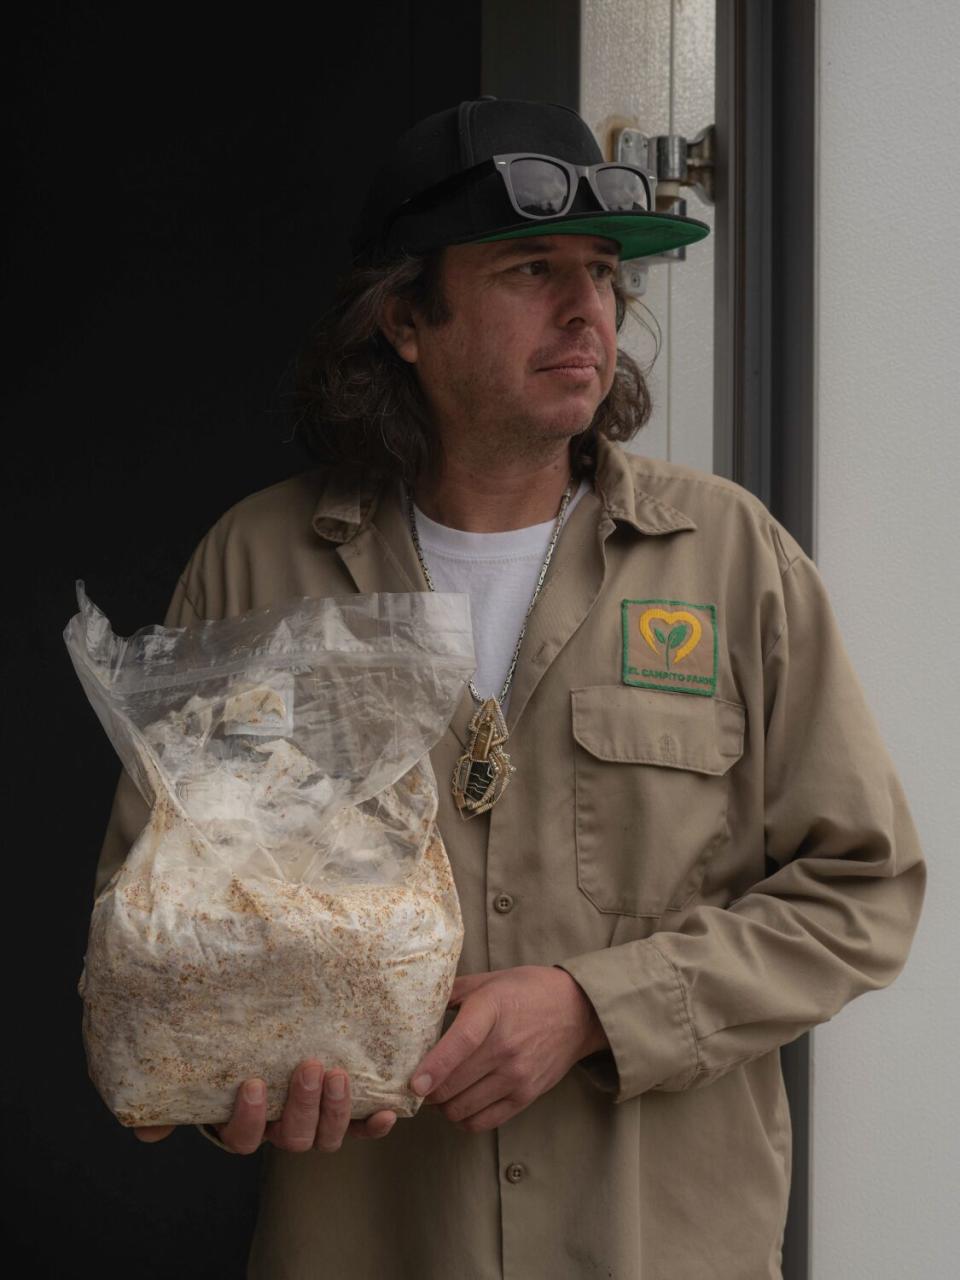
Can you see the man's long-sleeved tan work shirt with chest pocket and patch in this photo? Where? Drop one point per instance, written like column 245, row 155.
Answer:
column 705, row 830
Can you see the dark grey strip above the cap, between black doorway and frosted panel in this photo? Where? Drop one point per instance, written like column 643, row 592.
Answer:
column 531, row 49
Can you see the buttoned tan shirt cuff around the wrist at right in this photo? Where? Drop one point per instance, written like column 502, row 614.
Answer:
column 643, row 1008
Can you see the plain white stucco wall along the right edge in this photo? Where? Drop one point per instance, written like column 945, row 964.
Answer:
column 886, row 1114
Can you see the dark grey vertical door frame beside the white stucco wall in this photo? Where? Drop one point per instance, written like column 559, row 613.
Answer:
column 765, row 418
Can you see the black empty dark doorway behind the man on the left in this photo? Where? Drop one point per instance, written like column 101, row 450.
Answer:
column 185, row 180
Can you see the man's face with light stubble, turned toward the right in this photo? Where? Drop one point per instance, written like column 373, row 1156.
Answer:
column 531, row 349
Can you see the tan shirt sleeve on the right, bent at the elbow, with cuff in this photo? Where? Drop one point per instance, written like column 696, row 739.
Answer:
column 836, row 917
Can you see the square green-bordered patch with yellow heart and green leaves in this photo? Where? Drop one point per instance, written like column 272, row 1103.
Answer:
column 670, row 646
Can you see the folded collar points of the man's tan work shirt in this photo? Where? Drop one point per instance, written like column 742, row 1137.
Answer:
column 348, row 505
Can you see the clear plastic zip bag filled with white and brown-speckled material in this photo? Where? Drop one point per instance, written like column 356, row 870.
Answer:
column 290, row 897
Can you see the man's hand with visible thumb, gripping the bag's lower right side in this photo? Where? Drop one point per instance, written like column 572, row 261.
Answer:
column 518, row 1034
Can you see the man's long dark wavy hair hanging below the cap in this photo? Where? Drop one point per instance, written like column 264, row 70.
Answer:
column 359, row 405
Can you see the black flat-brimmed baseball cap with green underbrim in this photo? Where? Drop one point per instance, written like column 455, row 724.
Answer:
column 440, row 186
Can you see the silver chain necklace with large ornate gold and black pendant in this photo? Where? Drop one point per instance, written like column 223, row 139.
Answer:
column 484, row 770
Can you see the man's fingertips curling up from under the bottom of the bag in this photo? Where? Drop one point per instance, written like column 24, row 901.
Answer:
column 317, row 1114
